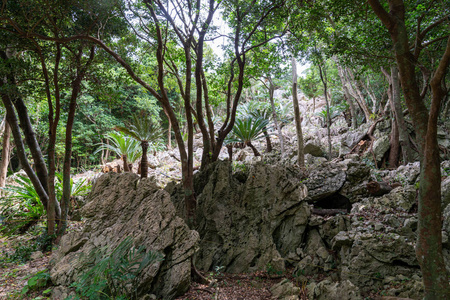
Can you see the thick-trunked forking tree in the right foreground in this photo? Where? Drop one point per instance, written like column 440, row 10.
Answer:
column 429, row 244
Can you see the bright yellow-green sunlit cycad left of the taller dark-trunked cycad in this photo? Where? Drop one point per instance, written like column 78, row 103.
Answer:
column 124, row 146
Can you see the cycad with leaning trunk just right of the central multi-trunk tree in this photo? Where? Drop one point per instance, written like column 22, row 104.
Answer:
column 249, row 129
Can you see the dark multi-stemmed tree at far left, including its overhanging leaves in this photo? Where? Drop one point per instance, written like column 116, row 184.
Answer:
column 28, row 21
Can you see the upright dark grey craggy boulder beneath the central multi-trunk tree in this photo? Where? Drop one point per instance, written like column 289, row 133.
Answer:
column 248, row 223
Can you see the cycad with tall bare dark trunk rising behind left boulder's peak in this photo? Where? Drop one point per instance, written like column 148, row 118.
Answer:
column 145, row 132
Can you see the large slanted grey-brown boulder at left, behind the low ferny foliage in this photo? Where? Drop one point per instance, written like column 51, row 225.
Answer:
column 123, row 206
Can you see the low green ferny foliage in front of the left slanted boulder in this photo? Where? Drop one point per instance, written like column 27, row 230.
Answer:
column 114, row 275
